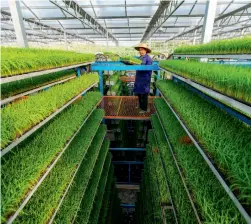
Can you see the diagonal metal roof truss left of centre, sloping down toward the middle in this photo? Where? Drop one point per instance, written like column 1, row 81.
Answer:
column 84, row 18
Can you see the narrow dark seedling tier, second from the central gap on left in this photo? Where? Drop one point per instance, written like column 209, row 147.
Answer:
column 100, row 197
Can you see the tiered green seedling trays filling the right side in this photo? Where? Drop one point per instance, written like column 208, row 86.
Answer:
column 209, row 145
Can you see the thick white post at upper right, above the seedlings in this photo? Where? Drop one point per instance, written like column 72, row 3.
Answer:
column 209, row 21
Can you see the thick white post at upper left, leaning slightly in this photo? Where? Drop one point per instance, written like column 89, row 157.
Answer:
column 18, row 23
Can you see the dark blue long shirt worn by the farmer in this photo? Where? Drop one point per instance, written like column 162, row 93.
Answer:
column 143, row 78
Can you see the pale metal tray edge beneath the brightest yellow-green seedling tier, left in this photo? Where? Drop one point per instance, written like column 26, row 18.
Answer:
column 35, row 128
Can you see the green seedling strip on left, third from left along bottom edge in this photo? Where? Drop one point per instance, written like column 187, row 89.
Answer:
column 70, row 205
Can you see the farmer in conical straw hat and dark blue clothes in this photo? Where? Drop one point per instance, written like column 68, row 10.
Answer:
column 143, row 78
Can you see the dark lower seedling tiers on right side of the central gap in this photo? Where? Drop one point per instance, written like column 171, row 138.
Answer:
column 154, row 202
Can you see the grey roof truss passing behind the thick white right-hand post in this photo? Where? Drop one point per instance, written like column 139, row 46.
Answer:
column 224, row 16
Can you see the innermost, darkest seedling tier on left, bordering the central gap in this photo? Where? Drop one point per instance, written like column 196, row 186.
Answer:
column 109, row 190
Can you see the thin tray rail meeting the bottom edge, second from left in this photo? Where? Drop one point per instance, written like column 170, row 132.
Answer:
column 70, row 183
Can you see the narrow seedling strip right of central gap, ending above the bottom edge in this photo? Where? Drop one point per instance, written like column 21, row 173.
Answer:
column 160, row 173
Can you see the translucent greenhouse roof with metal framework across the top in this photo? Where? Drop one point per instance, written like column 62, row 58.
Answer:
column 124, row 21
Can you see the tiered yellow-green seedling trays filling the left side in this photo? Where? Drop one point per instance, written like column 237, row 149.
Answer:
column 51, row 168
